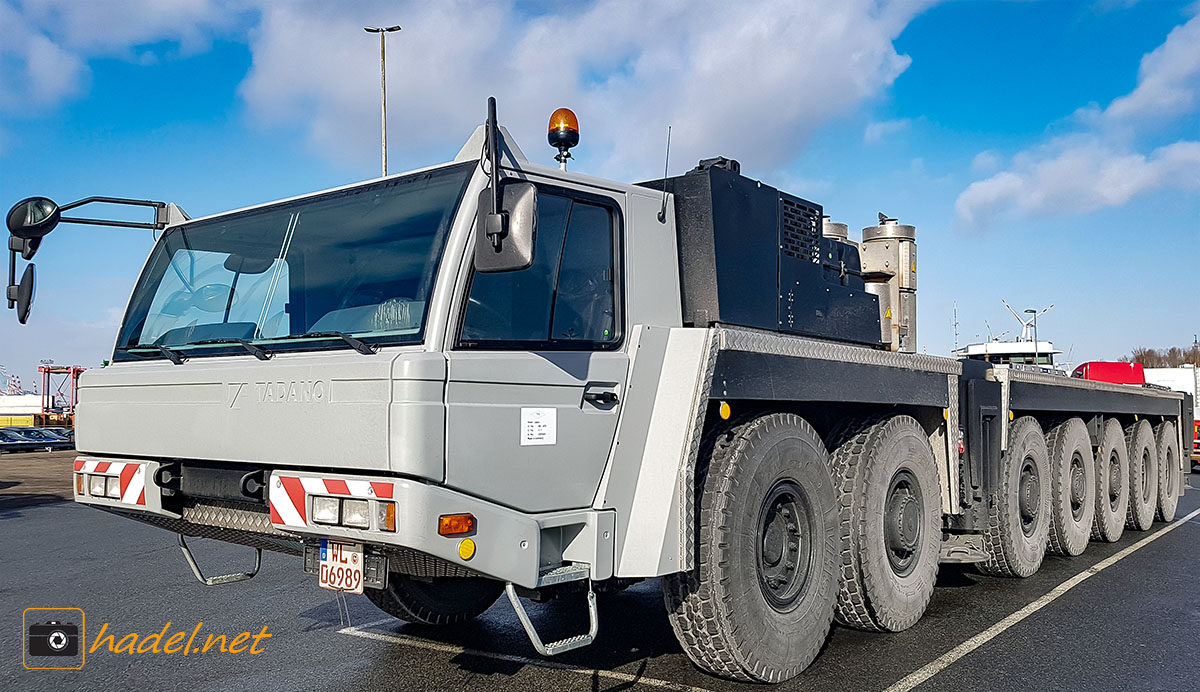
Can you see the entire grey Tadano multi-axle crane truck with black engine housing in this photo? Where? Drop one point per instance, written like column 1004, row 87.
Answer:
column 494, row 376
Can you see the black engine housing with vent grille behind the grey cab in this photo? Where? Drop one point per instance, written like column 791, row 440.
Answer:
column 753, row 256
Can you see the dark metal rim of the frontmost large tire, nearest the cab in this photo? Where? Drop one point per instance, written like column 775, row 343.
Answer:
column 784, row 550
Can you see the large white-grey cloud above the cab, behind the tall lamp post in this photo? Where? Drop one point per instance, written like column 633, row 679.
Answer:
column 737, row 80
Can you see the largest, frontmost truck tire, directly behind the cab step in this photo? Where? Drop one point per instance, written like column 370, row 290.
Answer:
column 759, row 605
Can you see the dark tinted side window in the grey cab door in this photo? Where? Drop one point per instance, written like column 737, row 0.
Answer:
column 566, row 299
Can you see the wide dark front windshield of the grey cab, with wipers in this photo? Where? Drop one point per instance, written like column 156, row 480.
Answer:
column 358, row 262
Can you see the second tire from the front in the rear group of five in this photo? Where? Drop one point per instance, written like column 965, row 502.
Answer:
column 1072, row 488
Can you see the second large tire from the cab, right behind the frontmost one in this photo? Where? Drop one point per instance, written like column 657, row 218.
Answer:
column 891, row 513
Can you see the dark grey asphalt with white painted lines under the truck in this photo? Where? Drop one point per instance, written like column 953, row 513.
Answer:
column 1113, row 619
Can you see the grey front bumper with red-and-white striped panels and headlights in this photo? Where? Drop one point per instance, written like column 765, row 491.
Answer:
column 509, row 545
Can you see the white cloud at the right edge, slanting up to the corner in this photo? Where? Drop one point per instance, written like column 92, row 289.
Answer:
column 1102, row 166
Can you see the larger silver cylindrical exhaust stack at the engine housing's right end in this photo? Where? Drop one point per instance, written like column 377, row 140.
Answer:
column 890, row 267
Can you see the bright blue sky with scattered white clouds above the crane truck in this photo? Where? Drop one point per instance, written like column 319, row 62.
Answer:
column 1047, row 152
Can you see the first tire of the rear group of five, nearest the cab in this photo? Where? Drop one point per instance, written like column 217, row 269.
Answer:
column 1019, row 514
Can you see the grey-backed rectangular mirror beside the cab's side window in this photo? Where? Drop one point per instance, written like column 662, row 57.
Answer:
column 505, row 242
